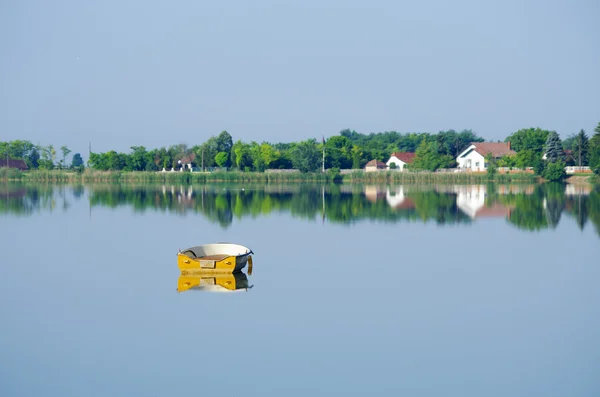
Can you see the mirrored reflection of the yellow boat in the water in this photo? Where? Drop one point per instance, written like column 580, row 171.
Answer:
column 211, row 282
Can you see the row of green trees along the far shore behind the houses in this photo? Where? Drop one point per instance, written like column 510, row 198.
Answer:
column 348, row 150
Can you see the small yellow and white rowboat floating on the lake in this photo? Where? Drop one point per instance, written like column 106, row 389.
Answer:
column 217, row 257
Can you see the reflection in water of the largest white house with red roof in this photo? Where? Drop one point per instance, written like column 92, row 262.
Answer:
column 471, row 200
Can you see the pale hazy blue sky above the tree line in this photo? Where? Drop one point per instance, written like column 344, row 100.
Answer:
column 123, row 73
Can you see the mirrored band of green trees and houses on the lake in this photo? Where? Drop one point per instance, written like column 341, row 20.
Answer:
column 528, row 207
